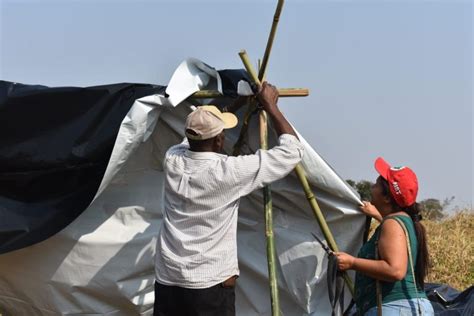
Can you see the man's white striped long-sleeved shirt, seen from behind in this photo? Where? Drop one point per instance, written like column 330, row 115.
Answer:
column 197, row 243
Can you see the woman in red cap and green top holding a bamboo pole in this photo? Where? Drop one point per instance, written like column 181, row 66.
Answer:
column 385, row 258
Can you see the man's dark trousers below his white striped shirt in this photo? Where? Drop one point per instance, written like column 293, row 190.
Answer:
column 177, row 301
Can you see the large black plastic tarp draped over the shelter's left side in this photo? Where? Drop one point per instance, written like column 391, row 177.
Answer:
column 55, row 144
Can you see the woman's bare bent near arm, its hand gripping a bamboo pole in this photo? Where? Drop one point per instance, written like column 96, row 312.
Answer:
column 392, row 265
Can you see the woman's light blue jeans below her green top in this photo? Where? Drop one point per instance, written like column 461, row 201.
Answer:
column 404, row 308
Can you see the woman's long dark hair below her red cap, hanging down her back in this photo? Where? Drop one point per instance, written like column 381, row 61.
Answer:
column 422, row 259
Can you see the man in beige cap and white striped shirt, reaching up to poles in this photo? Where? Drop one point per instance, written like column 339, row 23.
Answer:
column 196, row 257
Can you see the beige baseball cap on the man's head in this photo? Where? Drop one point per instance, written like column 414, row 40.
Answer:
column 208, row 121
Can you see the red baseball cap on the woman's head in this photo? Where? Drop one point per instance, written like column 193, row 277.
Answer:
column 402, row 182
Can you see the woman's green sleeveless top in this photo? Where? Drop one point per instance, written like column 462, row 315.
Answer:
column 365, row 292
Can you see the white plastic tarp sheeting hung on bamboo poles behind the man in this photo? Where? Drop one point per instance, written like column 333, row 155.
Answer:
column 102, row 263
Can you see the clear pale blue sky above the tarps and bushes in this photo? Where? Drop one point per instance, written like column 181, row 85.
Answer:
column 387, row 78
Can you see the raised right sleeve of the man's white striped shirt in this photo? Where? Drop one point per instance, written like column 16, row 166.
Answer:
column 252, row 172
